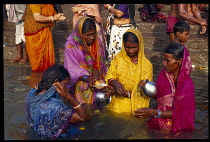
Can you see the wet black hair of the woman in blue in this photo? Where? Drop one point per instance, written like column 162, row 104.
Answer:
column 50, row 75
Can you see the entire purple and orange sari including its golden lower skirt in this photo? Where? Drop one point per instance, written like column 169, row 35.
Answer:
column 79, row 60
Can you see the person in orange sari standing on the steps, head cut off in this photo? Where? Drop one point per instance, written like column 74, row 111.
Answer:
column 39, row 42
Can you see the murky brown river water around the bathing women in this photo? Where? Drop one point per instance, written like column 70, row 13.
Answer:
column 18, row 79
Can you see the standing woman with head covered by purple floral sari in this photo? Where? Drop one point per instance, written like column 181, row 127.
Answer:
column 85, row 59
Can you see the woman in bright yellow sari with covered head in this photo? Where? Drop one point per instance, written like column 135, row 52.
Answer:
column 127, row 69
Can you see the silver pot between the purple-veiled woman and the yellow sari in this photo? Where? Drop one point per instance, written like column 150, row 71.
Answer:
column 102, row 99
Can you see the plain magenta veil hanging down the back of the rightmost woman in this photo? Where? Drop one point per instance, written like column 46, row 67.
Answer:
column 183, row 114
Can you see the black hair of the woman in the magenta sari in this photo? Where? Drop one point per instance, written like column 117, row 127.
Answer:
column 176, row 49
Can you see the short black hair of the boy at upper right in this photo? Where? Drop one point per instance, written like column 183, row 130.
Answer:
column 181, row 27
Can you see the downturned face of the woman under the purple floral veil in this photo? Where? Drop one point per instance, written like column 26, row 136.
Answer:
column 89, row 36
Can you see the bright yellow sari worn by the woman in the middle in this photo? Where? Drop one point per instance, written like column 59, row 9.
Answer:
column 129, row 75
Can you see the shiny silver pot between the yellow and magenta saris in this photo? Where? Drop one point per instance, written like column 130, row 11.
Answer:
column 149, row 89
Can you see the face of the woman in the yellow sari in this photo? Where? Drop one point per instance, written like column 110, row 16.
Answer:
column 131, row 49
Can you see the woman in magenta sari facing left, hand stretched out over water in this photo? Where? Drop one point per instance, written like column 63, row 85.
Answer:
column 175, row 93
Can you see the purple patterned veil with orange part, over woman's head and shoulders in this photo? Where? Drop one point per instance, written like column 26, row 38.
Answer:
column 78, row 58
